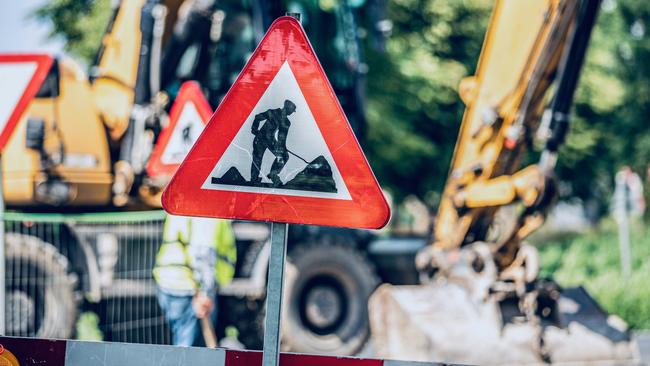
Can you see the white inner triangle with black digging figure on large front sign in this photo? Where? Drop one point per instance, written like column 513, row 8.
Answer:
column 279, row 149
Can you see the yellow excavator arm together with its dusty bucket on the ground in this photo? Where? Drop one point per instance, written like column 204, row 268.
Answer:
column 481, row 300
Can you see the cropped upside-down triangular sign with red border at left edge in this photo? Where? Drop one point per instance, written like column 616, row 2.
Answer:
column 22, row 77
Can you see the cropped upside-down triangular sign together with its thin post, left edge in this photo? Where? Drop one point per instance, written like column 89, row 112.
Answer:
column 22, row 77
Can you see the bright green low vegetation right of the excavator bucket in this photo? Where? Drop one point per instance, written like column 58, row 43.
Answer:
column 592, row 260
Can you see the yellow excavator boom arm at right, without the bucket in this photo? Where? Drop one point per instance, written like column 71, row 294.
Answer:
column 521, row 53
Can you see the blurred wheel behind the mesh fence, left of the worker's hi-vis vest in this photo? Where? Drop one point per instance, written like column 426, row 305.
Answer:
column 41, row 298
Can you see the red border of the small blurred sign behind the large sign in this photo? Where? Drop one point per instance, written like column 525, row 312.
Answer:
column 190, row 91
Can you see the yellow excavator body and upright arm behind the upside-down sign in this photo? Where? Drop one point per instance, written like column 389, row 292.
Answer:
column 67, row 163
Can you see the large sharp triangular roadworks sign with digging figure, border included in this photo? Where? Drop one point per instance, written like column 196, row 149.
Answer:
column 279, row 147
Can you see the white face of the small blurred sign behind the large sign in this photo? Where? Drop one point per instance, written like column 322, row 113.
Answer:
column 187, row 130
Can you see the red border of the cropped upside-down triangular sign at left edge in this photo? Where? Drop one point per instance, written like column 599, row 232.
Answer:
column 44, row 62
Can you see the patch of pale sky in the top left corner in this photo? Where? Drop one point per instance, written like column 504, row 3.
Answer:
column 18, row 33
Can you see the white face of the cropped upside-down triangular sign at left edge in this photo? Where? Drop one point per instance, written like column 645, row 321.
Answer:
column 15, row 78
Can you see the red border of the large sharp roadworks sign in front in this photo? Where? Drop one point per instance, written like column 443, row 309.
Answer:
column 285, row 41
